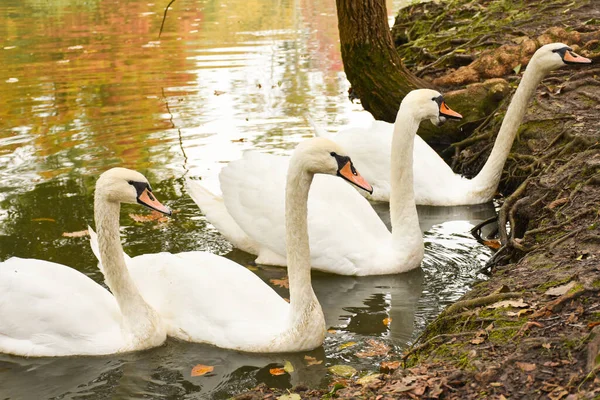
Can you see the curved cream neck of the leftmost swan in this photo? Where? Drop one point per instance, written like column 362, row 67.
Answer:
column 134, row 309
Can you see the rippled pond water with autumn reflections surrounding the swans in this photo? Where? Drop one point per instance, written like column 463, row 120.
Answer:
column 87, row 85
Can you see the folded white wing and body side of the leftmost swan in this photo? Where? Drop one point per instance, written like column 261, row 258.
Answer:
column 49, row 309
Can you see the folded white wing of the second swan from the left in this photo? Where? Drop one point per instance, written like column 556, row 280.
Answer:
column 207, row 298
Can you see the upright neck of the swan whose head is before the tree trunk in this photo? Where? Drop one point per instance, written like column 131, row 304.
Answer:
column 403, row 211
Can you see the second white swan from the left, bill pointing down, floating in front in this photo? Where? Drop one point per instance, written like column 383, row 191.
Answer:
column 210, row 299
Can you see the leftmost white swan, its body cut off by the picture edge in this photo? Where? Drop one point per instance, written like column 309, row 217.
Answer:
column 48, row 309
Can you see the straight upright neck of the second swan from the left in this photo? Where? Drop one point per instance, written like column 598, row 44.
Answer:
column 302, row 295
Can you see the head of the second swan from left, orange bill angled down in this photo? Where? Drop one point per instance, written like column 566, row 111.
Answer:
column 323, row 156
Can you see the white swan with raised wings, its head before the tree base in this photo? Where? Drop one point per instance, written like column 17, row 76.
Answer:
column 346, row 235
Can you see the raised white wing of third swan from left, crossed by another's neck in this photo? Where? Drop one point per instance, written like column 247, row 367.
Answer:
column 343, row 227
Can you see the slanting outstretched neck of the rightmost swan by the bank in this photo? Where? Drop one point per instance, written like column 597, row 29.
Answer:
column 490, row 174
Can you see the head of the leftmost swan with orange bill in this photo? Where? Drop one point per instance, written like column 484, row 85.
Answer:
column 122, row 185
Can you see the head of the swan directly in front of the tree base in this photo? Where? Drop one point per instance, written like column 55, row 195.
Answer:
column 428, row 104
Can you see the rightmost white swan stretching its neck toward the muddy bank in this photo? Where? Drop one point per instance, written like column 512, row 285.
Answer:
column 434, row 181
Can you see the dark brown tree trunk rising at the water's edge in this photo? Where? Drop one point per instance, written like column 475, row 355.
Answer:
column 371, row 62
